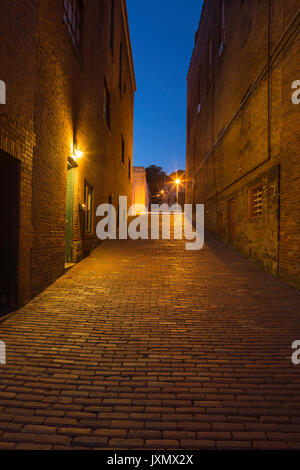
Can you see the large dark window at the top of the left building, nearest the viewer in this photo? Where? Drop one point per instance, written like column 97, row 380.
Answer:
column 73, row 15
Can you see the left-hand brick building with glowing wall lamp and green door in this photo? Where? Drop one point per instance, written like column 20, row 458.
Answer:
column 66, row 133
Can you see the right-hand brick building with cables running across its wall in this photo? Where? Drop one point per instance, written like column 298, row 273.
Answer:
column 242, row 129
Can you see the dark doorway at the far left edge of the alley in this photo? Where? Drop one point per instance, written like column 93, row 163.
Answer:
column 9, row 196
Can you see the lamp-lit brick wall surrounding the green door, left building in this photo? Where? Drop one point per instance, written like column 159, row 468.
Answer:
column 69, row 109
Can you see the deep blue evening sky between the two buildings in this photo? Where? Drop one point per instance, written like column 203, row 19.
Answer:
column 162, row 34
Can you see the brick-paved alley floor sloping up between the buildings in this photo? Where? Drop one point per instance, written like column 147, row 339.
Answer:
column 146, row 345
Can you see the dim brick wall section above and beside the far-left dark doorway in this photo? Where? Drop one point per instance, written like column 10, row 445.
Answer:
column 18, row 26
